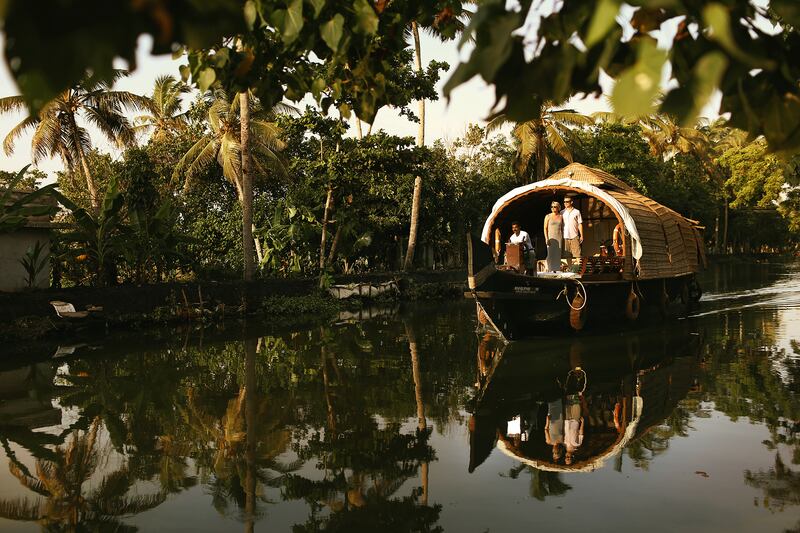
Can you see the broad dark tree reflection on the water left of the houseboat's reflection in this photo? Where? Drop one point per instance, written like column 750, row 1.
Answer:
column 320, row 416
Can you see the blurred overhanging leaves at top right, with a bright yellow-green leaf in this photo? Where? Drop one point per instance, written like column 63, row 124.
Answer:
column 725, row 44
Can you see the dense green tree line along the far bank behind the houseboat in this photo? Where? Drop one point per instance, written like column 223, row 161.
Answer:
column 326, row 202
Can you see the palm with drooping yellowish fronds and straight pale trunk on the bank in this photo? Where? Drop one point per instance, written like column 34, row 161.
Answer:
column 222, row 144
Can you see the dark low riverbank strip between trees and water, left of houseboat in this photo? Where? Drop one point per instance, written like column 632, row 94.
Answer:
column 29, row 316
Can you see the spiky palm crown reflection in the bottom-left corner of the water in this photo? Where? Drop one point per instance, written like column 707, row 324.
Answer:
column 60, row 482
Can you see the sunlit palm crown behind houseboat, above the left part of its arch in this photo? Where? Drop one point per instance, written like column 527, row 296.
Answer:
column 536, row 137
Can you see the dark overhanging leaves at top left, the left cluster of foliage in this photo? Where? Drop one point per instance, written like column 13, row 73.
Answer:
column 274, row 47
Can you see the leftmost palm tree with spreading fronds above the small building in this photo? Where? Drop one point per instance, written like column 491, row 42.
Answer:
column 56, row 129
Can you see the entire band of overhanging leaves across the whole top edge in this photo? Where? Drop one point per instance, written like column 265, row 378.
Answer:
column 275, row 47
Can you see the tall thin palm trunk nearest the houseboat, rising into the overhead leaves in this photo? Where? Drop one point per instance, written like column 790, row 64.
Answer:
column 456, row 21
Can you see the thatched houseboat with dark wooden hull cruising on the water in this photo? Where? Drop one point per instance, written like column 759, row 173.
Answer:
column 660, row 252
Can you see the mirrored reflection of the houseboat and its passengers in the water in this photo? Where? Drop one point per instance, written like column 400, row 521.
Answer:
column 530, row 395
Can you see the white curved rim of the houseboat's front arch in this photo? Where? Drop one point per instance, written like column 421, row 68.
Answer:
column 572, row 184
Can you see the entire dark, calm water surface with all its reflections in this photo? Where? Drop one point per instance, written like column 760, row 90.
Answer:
column 412, row 422
